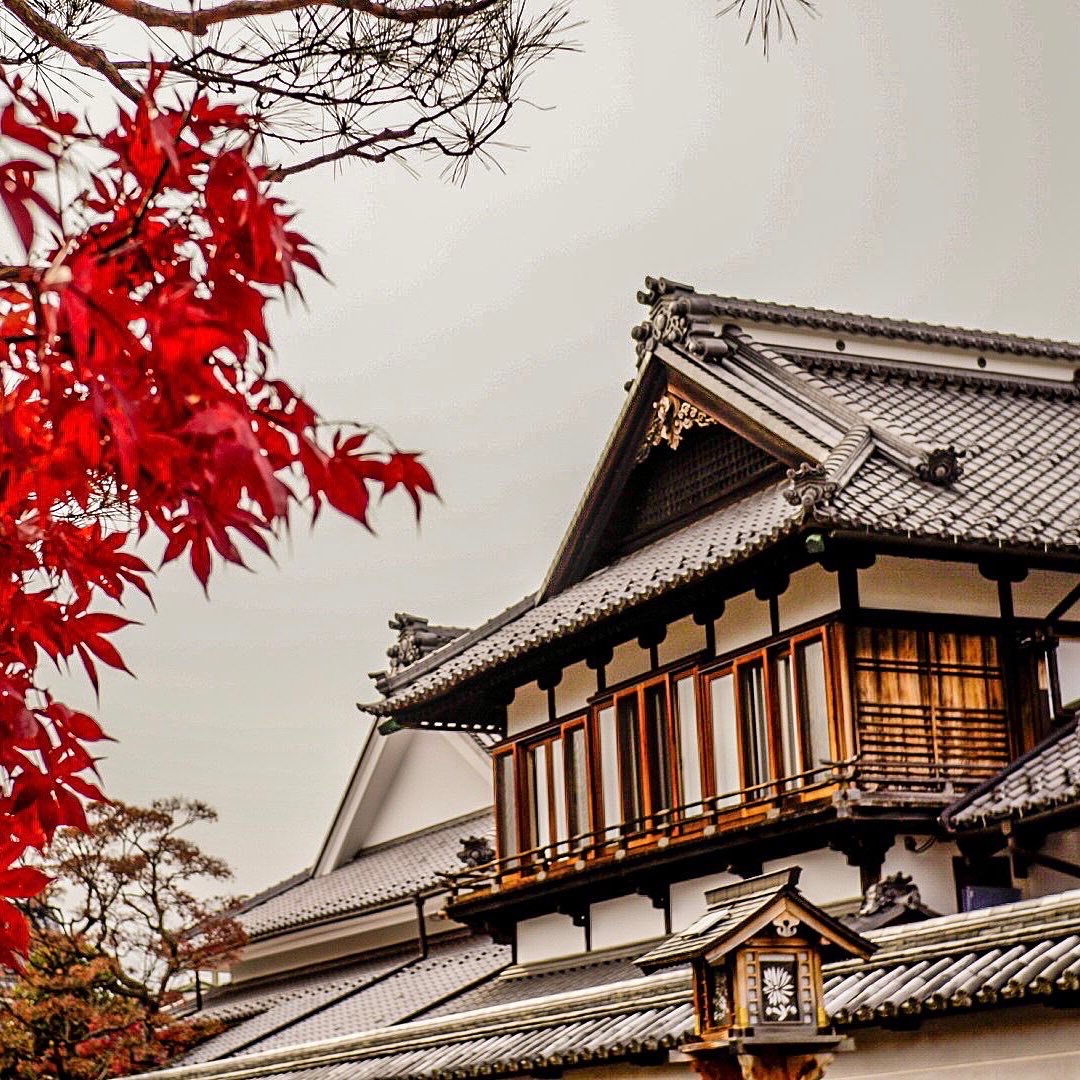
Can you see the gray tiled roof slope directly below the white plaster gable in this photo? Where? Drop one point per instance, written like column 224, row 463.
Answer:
column 377, row 876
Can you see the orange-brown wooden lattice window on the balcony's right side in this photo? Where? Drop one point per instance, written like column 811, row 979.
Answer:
column 929, row 706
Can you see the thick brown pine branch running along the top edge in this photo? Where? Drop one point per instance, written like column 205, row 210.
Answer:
column 198, row 23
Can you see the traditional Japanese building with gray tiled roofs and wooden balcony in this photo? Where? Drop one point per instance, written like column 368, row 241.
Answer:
column 819, row 609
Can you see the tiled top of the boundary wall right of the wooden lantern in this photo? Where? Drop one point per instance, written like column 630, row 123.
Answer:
column 1004, row 955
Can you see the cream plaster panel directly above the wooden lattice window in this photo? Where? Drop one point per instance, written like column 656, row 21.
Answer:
column 912, row 585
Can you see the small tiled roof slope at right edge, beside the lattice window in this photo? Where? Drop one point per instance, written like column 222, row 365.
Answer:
column 1046, row 778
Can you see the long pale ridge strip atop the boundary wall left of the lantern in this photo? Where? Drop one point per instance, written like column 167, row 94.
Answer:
column 671, row 991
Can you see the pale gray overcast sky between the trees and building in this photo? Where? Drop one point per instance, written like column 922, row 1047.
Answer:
column 916, row 159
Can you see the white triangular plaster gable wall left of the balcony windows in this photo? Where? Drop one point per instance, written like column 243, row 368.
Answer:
column 435, row 782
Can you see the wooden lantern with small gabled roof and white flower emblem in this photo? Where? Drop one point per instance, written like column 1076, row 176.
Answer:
column 759, row 994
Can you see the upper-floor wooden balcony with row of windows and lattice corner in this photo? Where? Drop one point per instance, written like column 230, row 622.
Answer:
column 834, row 718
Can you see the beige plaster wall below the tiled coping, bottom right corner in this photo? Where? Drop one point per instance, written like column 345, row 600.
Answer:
column 1034, row 1043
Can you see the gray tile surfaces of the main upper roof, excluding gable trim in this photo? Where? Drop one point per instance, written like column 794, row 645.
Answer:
column 1020, row 485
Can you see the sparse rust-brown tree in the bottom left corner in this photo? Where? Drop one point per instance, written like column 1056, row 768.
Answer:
column 116, row 937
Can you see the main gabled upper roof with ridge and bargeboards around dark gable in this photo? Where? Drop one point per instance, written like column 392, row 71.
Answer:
column 935, row 448
